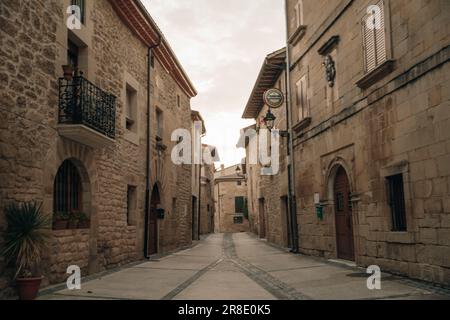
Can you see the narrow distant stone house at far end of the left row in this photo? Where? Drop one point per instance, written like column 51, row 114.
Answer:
column 207, row 192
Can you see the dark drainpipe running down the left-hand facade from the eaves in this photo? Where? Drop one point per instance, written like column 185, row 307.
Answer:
column 148, row 166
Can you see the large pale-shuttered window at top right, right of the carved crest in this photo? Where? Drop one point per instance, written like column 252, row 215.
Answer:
column 374, row 37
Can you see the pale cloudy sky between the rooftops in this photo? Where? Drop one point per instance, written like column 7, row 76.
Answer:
column 222, row 45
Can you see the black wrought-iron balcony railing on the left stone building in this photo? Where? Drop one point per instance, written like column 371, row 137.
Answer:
column 83, row 103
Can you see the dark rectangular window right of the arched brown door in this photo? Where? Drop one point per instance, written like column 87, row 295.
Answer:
column 396, row 199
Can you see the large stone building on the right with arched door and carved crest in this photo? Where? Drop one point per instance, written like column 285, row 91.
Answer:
column 371, row 102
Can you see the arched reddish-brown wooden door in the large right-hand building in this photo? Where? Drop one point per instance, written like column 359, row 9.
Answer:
column 343, row 213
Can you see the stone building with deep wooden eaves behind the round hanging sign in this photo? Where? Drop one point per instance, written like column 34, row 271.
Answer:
column 267, row 194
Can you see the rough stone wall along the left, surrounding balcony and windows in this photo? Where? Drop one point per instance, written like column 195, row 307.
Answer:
column 33, row 40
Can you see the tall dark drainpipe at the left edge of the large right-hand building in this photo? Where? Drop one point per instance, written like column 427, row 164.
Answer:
column 292, row 202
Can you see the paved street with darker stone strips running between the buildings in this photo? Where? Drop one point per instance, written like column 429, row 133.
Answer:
column 241, row 267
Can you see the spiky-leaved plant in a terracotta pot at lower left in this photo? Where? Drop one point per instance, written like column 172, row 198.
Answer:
column 25, row 239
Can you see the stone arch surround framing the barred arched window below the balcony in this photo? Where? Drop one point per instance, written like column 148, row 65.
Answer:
column 83, row 158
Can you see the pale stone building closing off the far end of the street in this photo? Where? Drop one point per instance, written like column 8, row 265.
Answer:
column 230, row 196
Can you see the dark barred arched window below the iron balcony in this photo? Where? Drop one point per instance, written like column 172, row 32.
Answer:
column 67, row 196
